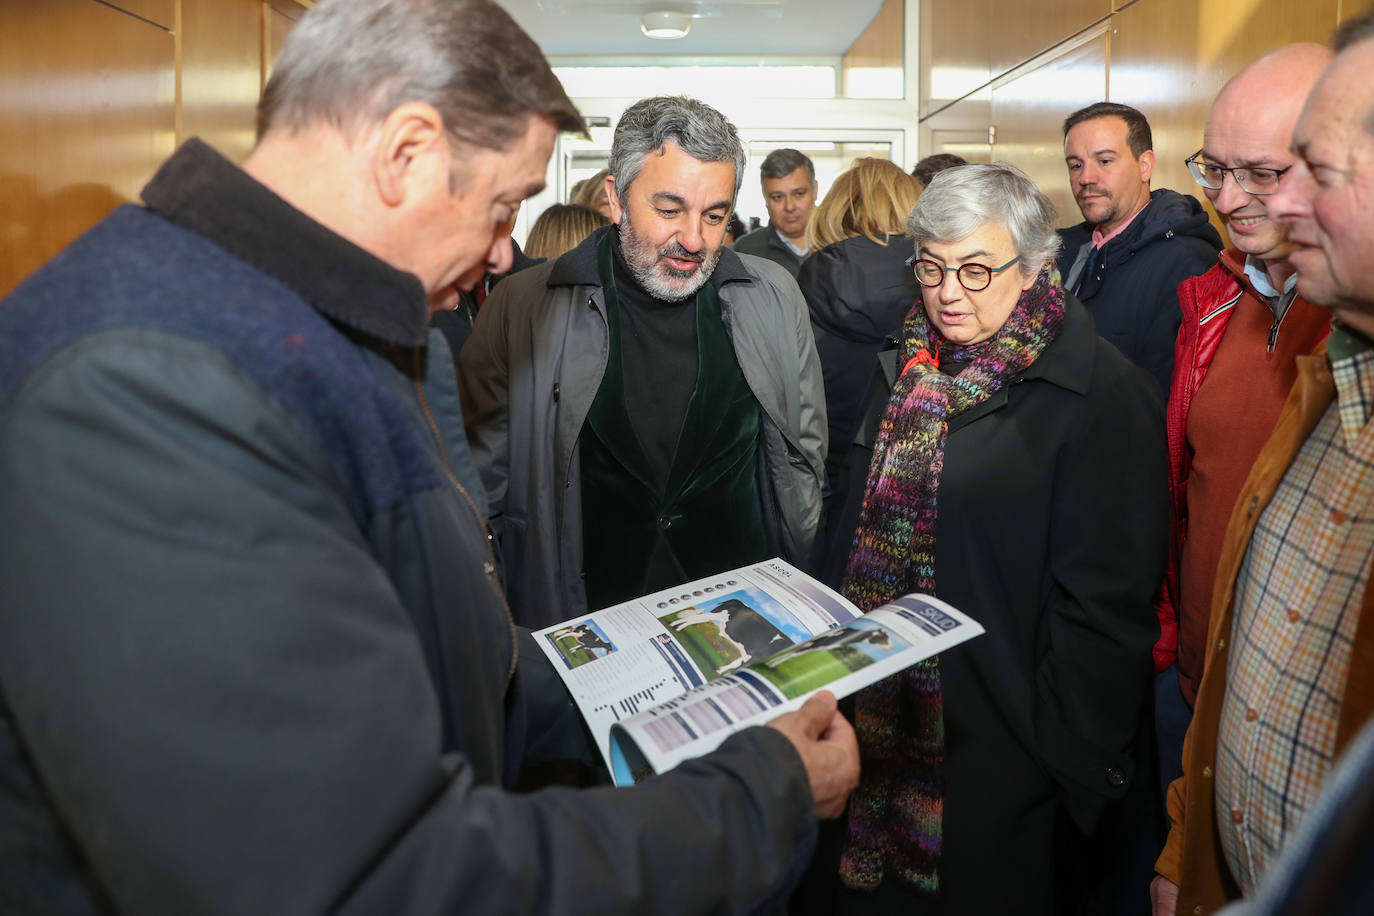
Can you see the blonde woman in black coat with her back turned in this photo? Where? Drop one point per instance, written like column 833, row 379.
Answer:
column 859, row 289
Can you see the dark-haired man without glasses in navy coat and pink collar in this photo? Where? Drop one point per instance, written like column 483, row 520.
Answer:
column 1134, row 247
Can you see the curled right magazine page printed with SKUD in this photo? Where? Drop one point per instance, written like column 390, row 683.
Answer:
column 843, row 660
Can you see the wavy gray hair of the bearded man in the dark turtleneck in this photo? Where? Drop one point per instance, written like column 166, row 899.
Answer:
column 703, row 134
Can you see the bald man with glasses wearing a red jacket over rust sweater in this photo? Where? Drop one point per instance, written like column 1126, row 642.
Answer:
column 1244, row 323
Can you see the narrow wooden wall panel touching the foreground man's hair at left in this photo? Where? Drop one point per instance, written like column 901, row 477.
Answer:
column 222, row 72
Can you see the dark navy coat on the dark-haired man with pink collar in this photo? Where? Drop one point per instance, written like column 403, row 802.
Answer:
column 1134, row 289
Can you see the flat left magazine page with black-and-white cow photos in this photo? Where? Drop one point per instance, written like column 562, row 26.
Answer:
column 623, row 660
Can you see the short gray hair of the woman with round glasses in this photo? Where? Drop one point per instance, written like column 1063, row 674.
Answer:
column 962, row 200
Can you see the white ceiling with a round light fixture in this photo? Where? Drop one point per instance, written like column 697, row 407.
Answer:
column 734, row 28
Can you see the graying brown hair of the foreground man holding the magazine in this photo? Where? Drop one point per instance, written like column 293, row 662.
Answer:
column 352, row 62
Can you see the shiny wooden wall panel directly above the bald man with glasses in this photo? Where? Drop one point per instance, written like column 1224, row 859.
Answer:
column 1170, row 58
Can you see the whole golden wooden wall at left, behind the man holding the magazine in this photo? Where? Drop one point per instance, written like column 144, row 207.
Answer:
column 95, row 95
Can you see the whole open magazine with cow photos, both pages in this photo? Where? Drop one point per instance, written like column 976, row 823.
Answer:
column 673, row 675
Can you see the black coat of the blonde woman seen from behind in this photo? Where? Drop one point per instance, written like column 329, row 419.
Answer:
column 858, row 293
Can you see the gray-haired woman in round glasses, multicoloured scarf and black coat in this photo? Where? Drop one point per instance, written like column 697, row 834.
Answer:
column 1017, row 472
